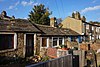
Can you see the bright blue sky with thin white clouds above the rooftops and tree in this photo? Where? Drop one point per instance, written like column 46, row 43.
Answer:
column 59, row 8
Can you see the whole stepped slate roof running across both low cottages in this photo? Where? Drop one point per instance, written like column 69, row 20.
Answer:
column 22, row 25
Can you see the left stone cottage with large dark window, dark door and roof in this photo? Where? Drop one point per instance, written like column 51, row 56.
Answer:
column 17, row 38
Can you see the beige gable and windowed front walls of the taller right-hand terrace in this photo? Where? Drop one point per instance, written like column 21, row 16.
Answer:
column 82, row 28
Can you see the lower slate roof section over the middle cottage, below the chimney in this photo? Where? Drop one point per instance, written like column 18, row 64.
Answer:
column 48, row 30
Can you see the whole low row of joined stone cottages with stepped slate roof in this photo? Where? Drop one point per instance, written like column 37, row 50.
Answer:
column 19, row 37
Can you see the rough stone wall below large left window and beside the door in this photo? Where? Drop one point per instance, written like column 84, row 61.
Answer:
column 19, row 49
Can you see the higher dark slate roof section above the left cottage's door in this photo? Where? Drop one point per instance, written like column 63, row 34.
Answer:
column 18, row 25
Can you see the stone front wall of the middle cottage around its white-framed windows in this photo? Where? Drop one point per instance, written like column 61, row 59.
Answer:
column 43, row 50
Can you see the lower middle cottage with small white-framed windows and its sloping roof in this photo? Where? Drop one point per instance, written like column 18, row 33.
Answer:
column 54, row 37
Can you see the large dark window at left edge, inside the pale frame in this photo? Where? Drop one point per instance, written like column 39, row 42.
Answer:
column 6, row 41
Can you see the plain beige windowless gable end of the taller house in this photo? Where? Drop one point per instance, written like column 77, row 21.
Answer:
column 73, row 24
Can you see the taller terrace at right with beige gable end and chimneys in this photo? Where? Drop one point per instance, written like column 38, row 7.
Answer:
column 90, row 31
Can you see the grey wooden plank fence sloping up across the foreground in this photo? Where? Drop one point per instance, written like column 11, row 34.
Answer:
column 65, row 61
